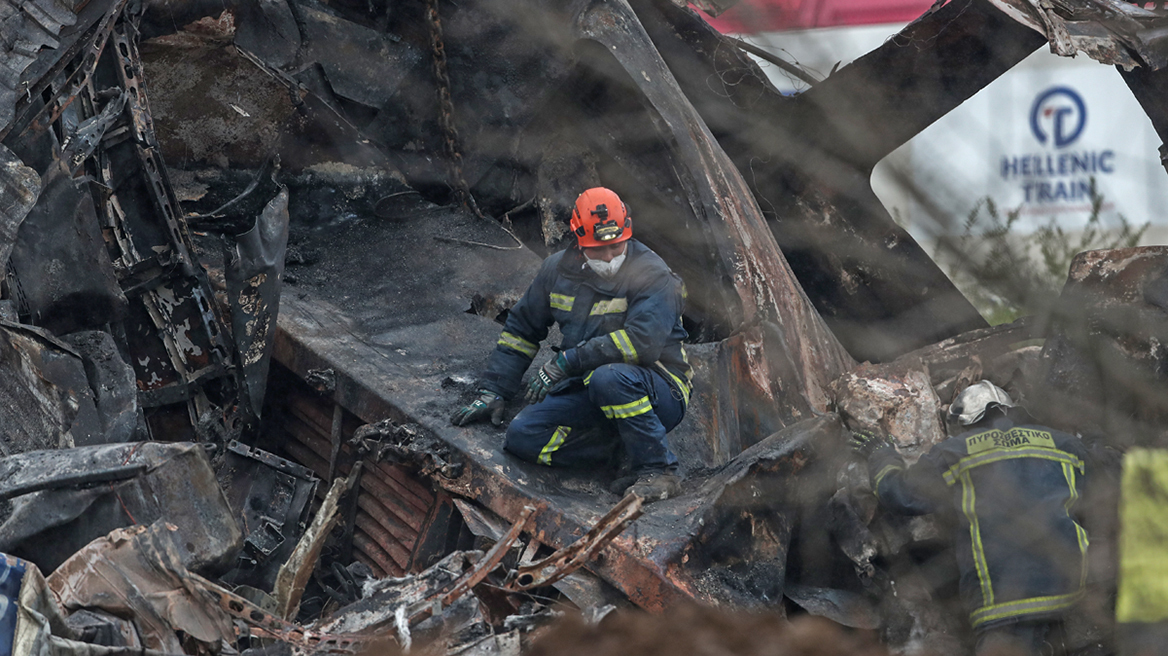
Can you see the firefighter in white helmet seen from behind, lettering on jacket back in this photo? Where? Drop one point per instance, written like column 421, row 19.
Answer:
column 1023, row 556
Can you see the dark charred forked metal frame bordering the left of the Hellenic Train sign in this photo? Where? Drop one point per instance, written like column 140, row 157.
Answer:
column 809, row 159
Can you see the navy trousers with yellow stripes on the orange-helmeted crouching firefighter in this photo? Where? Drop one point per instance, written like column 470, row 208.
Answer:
column 573, row 427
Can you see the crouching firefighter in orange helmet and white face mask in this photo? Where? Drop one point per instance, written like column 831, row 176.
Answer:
column 622, row 372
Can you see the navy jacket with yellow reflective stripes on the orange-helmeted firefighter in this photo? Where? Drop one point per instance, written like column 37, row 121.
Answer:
column 634, row 318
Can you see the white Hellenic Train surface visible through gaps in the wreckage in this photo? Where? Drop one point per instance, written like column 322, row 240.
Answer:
column 1034, row 141
